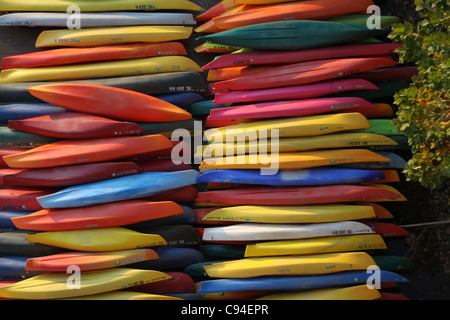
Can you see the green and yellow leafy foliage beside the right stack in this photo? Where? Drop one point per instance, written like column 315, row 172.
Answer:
column 423, row 108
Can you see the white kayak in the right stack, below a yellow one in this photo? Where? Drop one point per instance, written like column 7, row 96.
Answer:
column 262, row 232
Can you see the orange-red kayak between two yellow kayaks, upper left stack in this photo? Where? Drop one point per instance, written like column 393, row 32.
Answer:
column 66, row 56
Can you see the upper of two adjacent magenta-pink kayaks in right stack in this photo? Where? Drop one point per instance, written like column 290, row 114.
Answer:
column 294, row 92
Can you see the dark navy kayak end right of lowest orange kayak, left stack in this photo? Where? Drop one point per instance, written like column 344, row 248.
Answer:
column 171, row 258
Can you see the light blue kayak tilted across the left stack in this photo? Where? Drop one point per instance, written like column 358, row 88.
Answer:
column 118, row 189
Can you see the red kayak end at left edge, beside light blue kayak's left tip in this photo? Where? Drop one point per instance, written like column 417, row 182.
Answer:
column 22, row 199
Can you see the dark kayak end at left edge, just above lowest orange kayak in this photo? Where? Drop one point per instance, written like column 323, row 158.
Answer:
column 15, row 244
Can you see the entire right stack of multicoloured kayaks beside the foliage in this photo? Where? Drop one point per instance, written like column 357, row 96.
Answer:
column 300, row 160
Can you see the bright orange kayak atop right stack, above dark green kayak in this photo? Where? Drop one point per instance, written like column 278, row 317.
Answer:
column 303, row 10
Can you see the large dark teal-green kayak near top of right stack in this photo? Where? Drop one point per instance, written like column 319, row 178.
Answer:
column 290, row 35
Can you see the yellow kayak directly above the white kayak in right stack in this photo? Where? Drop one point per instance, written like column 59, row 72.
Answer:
column 292, row 214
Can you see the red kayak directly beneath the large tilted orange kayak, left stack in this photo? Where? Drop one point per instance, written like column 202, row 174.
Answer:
column 74, row 125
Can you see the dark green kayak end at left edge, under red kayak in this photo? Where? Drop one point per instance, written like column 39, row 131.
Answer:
column 15, row 139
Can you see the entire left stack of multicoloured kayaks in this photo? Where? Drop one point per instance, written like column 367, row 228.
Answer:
column 88, row 185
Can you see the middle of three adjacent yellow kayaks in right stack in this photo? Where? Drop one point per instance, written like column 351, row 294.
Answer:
column 329, row 141
